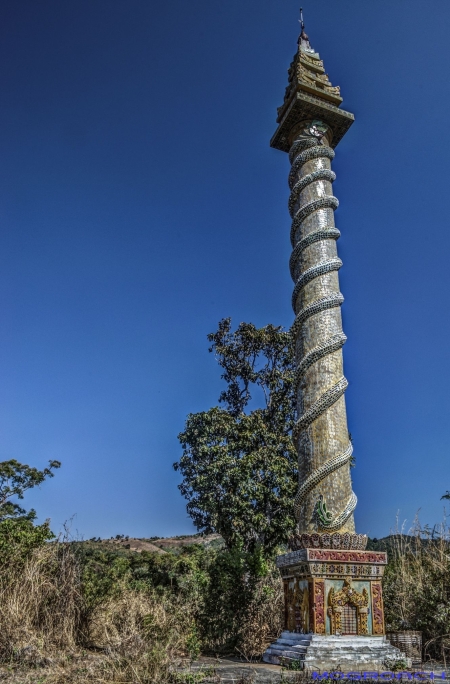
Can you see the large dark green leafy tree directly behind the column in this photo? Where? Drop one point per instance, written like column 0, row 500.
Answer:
column 239, row 464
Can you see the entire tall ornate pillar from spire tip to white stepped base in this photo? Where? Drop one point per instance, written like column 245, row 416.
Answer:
column 332, row 585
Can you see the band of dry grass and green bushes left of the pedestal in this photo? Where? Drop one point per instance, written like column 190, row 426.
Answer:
column 82, row 613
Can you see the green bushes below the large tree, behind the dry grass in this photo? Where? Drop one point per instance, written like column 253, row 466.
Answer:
column 220, row 587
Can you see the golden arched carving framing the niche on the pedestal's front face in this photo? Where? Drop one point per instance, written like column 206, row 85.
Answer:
column 347, row 596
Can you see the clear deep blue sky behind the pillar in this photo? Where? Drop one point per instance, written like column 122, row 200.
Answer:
column 140, row 203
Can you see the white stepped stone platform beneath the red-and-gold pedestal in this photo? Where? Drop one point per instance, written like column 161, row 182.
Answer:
column 318, row 652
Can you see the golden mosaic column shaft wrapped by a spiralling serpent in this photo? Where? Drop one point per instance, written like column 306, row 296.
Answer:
column 325, row 501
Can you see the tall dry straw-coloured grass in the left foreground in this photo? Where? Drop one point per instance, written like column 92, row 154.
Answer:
column 134, row 637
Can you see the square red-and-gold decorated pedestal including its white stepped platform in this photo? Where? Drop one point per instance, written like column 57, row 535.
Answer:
column 333, row 610
